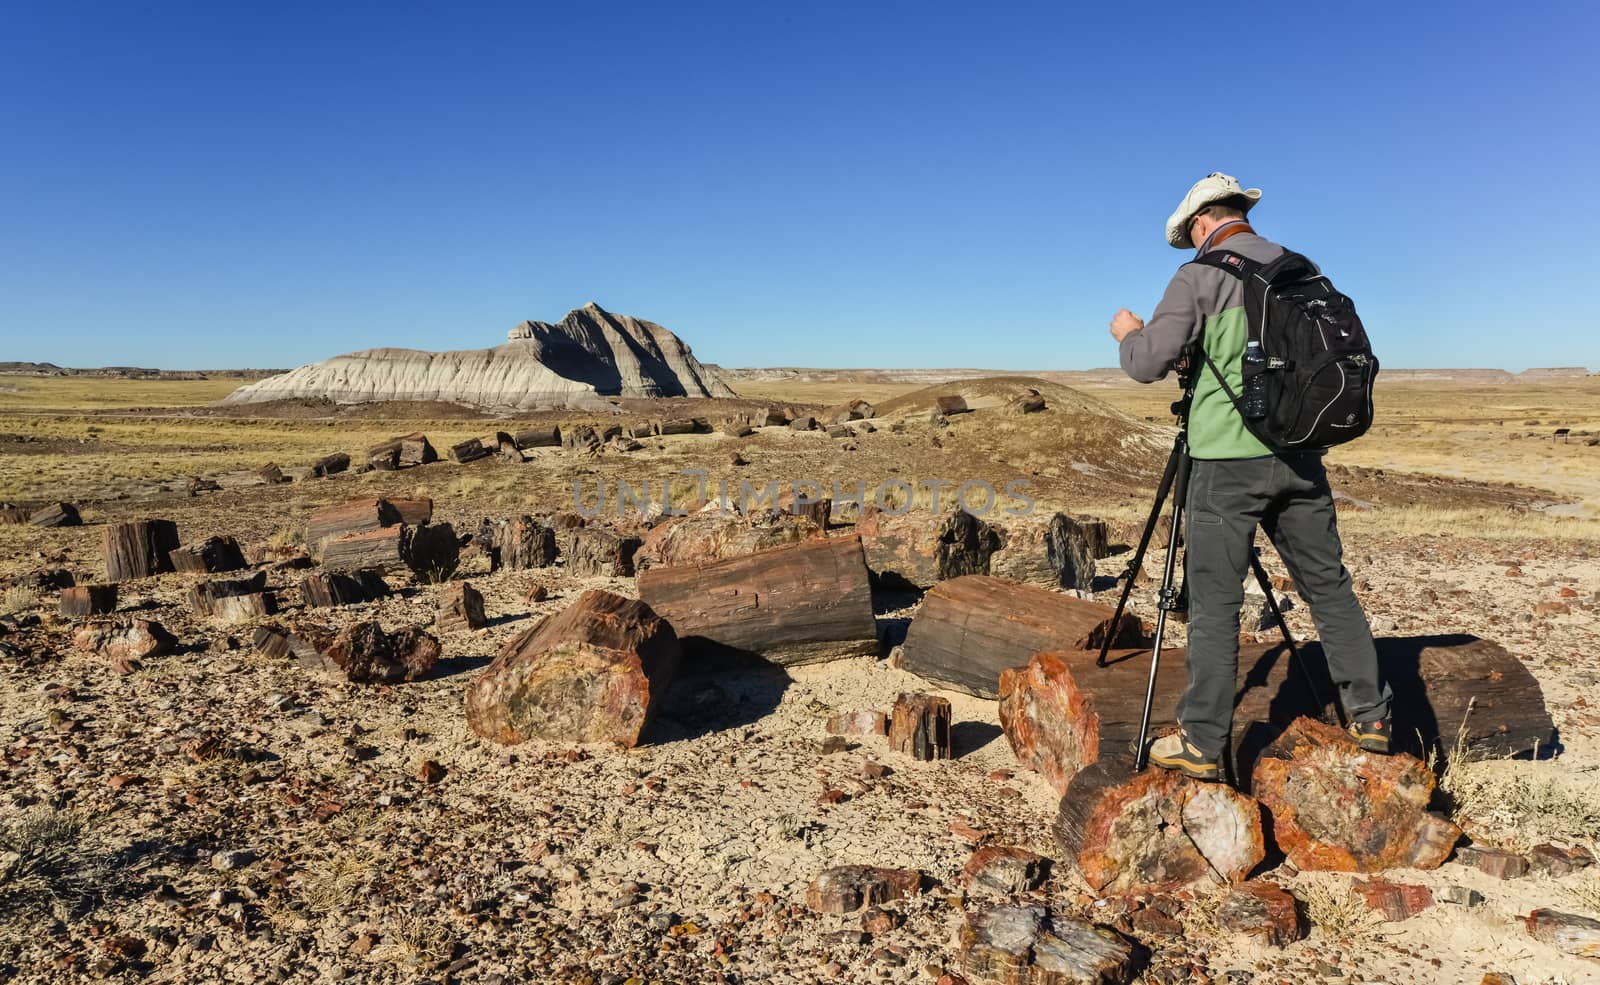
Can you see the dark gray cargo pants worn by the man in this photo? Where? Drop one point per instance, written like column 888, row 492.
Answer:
column 1290, row 500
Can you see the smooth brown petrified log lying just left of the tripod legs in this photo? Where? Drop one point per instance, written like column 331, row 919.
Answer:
column 972, row 629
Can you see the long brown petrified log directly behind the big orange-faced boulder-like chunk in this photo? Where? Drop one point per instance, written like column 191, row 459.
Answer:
column 790, row 605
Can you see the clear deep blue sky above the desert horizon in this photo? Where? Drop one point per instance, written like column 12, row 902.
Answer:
column 825, row 185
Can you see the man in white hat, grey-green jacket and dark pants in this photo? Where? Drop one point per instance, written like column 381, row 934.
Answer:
column 1236, row 485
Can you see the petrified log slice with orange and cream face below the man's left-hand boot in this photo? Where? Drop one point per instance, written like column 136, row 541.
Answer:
column 1156, row 831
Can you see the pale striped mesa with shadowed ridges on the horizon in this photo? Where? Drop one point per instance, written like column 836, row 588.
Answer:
column 588, row 356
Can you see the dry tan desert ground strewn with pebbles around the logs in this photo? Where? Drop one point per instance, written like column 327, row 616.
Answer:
column 215, row 813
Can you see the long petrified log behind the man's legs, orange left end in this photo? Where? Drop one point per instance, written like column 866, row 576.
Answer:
column 1063, row 714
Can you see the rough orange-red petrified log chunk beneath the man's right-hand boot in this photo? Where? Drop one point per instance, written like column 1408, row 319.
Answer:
column 1340, row 808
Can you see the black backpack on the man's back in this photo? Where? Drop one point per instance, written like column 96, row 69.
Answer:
column 1310, row 385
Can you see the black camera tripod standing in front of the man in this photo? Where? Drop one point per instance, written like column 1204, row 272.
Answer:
column 1175, row 482
